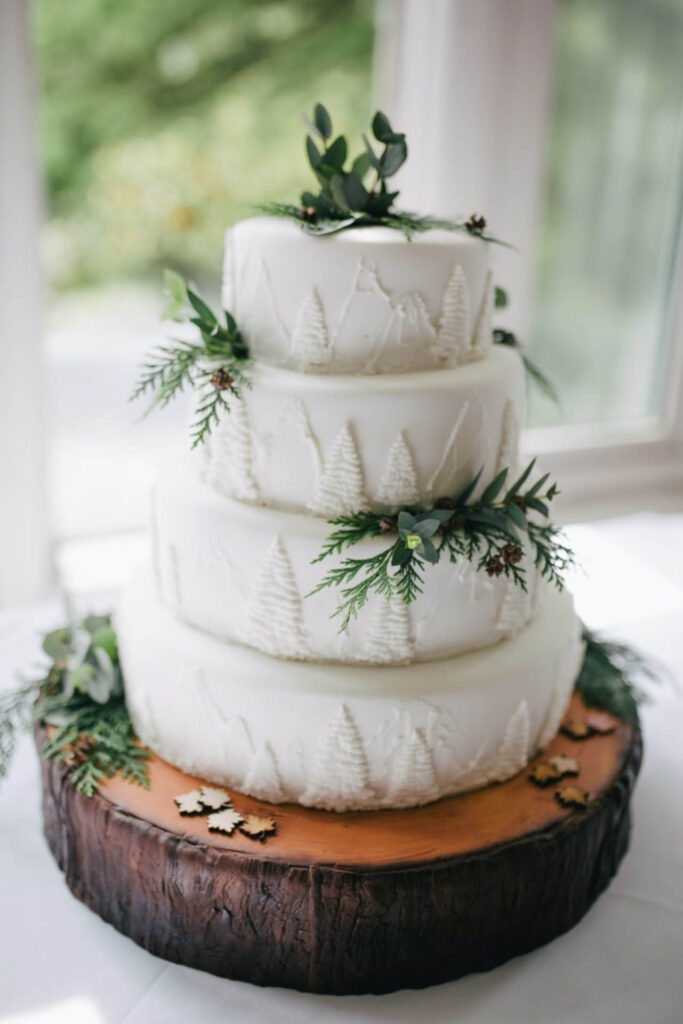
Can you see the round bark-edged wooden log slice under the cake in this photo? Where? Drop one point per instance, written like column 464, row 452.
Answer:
column 357, row 903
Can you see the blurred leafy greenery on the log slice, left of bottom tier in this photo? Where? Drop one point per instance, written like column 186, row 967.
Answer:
column 80, row 699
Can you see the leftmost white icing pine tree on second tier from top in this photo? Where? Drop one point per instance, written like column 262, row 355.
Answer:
column 231, row 456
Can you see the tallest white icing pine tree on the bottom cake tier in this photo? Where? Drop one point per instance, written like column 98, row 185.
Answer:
column 339, row 780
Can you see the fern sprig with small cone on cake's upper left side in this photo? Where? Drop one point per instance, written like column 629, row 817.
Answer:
column 215, row 365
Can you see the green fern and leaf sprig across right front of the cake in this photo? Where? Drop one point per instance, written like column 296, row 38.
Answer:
column 489, row 532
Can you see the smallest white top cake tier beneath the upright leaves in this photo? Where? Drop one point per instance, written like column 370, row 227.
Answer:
column 363, row 302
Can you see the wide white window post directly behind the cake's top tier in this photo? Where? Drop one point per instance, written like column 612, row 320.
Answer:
column 468, row 81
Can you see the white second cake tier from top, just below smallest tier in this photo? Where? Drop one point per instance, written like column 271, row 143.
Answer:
column 334, row 445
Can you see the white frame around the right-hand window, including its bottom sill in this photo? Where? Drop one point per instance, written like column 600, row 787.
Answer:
column 424, row 51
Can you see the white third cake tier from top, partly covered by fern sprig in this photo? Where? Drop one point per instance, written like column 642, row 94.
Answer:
column 245, row 573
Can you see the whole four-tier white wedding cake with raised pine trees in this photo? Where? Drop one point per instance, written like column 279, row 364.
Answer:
column 375, row 387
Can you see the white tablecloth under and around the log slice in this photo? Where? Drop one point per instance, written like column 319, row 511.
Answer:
column 622, row 965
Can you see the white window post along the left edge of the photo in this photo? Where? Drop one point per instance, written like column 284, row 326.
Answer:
column 25, row 563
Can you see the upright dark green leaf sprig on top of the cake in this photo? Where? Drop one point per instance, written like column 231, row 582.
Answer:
column 359, row 195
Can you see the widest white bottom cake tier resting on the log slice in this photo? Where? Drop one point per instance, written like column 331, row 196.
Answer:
column 339, row 737
